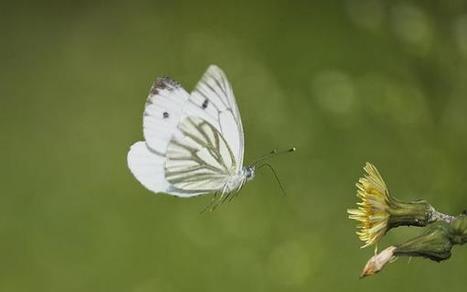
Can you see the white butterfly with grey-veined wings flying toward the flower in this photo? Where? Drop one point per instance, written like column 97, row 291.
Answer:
column 194, row 142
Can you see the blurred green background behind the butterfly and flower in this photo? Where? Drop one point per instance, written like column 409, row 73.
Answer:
column 344, row 81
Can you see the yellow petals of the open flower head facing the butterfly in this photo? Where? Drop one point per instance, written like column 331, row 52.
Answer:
column 373, row 212
